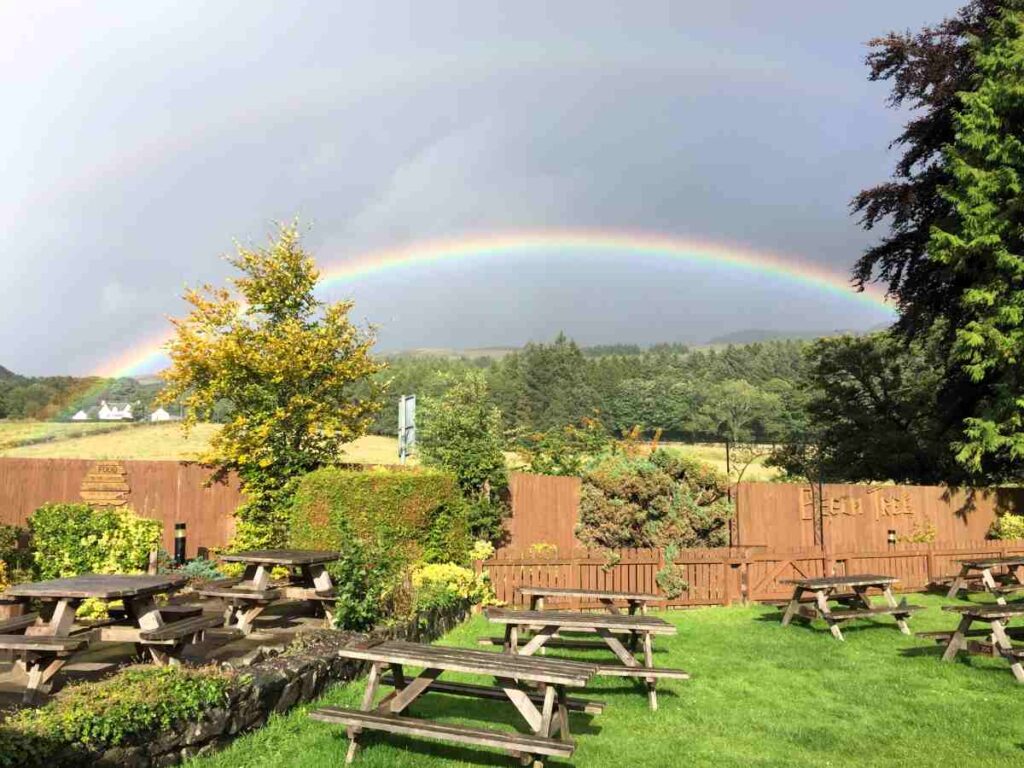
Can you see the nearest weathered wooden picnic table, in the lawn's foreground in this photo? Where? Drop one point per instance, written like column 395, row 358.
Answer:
column 545, row 710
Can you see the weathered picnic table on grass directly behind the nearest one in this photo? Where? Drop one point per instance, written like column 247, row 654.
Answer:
column 548, row 624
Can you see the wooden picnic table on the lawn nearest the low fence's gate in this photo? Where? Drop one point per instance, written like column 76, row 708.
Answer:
column 850, row 592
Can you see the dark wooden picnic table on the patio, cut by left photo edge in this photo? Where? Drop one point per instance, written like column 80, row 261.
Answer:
column 45, row 646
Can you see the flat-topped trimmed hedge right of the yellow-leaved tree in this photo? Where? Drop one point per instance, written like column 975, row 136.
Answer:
column 418, row 516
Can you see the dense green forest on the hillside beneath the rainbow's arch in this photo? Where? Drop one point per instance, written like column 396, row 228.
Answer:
column 745, row 393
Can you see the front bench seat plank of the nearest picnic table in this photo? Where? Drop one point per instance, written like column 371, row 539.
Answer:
column 518, row 743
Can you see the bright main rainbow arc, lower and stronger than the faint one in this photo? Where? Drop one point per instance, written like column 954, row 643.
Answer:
column 149, row 356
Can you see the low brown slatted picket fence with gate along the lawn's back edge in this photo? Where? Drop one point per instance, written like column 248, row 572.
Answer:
column 721, row 577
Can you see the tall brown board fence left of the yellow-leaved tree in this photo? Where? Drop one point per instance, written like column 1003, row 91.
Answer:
column 169, row 492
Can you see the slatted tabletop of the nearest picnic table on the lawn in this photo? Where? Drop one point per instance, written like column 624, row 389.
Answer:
column 542, row 670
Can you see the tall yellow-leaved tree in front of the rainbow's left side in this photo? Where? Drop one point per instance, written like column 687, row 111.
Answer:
column 295, row 373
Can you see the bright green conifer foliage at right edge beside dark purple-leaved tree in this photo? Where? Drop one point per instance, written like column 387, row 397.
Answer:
column 982, row 247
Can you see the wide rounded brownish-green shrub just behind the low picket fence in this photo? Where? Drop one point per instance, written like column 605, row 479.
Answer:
column 659, row 501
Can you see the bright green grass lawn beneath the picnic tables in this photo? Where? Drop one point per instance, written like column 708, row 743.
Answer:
column 760, row 695
